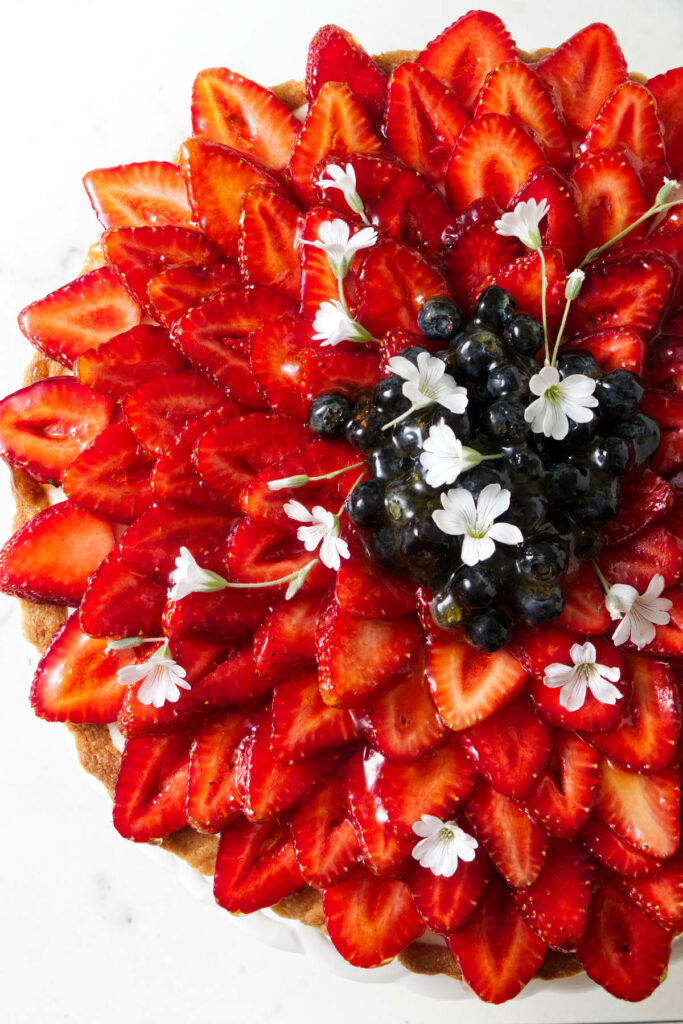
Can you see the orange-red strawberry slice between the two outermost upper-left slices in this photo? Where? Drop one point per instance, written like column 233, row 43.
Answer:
column 218, row 181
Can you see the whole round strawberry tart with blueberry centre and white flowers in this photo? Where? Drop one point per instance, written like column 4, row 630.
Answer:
column 352, row 502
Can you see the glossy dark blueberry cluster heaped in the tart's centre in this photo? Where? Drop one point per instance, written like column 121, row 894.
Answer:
column 562, row 492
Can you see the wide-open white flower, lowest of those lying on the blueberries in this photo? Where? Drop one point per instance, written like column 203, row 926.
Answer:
column 477, row 524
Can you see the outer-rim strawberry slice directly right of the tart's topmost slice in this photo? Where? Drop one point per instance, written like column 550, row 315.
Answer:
column 582, row 73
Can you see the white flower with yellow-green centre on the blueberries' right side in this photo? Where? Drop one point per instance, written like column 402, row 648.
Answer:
column 560, row 402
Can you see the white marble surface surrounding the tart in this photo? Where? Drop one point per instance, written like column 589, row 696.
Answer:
column 94, row 928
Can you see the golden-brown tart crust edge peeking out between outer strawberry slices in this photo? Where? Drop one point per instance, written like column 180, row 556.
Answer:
column 94, row 744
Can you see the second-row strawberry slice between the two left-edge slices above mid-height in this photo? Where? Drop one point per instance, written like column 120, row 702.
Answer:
column 131, row 359
